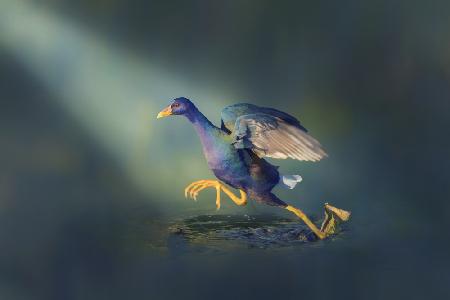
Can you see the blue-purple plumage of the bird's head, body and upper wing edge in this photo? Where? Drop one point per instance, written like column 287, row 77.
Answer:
column 238, row 165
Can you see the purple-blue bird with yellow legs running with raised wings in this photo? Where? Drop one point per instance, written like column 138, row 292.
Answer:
column 236, row 151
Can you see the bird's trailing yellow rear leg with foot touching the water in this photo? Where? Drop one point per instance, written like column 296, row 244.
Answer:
column 332, row 216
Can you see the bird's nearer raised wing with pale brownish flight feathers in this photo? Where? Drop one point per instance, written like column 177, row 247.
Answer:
column 271, row 136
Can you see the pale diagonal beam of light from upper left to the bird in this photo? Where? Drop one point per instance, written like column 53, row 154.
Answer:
column 114, row 94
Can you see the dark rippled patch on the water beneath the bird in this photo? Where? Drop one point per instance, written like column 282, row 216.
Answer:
column 216, row 232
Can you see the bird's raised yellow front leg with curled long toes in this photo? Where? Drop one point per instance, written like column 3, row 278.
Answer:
column 196, row 187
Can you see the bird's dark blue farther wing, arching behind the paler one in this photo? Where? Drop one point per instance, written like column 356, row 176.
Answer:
column 230, row 114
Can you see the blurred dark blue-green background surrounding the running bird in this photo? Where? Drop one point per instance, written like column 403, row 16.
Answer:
column 90, row 181
